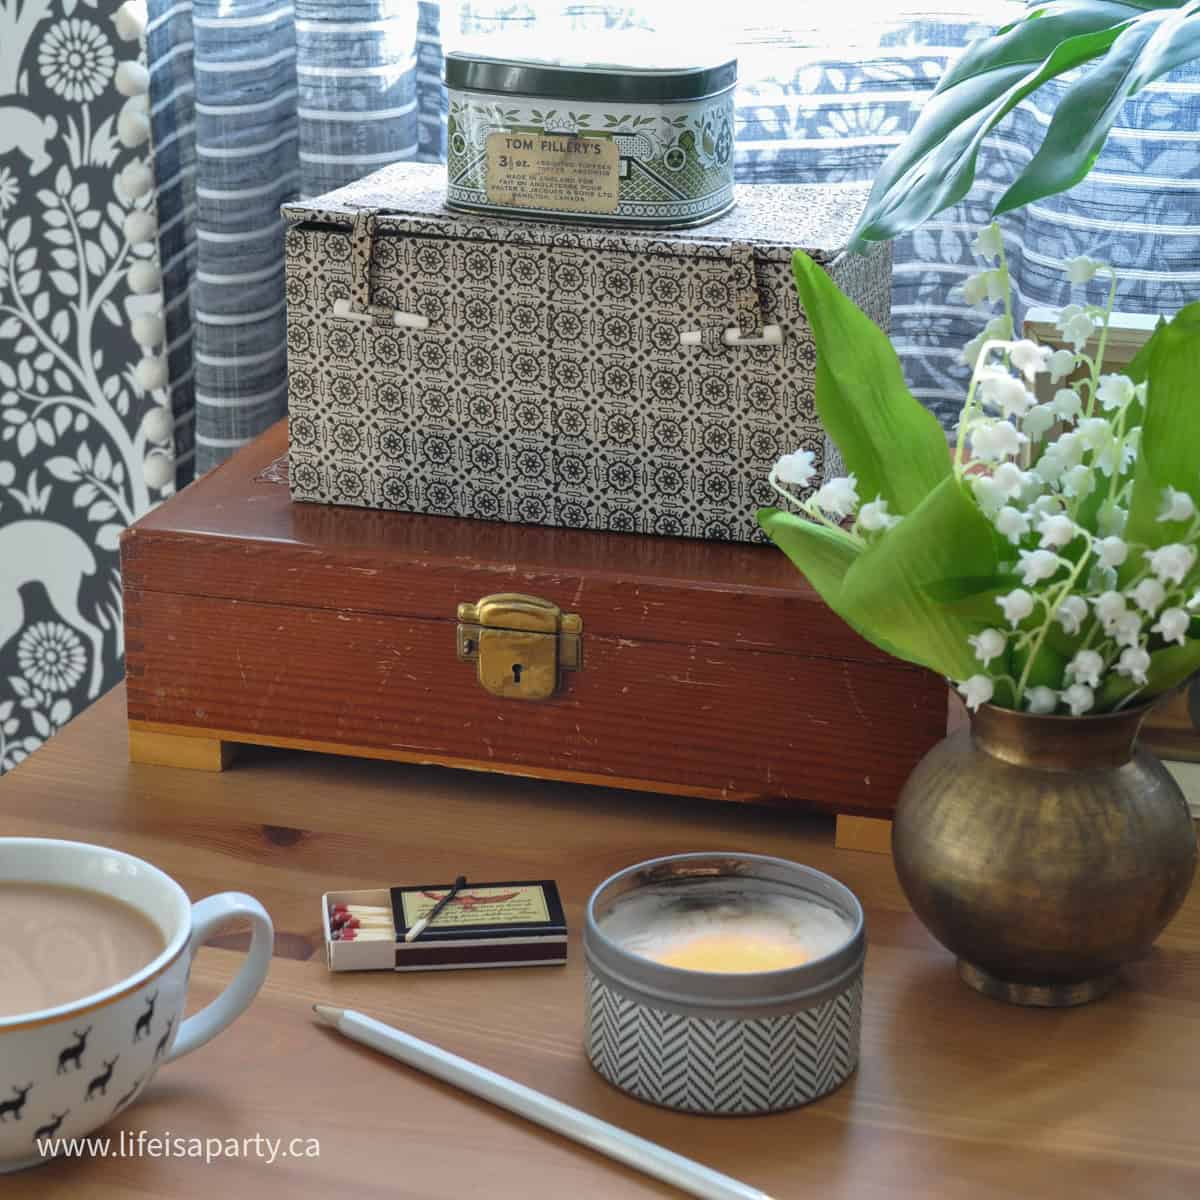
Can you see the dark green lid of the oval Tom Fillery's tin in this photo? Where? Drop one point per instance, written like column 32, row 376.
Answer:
column 610, row 70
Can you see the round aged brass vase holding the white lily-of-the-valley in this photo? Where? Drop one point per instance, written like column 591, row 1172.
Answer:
column 1045, row 851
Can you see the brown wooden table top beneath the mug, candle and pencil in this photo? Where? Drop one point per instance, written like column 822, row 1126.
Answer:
column 957, row 1095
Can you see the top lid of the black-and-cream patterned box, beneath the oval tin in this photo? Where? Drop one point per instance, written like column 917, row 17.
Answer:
column 772, row 219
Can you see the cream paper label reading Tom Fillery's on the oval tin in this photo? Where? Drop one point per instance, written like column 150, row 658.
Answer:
column 554, row 172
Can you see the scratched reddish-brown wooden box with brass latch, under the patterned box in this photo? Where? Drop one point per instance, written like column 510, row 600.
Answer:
column 705, row 669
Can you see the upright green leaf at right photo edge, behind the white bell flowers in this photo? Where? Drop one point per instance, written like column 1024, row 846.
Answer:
column 1169, row 452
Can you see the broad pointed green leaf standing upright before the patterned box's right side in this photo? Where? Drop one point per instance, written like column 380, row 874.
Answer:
column 889, row 440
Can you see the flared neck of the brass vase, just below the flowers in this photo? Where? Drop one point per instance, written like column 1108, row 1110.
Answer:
column 1059, row 743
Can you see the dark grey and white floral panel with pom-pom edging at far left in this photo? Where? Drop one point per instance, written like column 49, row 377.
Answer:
column 86, row 445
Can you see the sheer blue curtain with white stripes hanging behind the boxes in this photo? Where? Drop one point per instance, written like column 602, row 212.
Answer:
column 259, row 101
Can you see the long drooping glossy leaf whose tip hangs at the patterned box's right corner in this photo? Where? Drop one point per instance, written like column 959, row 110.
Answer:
column 934, row 167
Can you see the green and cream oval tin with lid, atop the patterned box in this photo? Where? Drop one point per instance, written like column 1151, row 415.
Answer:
column 629, row 145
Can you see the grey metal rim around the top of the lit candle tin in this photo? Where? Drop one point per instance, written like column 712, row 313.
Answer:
column 719, row 994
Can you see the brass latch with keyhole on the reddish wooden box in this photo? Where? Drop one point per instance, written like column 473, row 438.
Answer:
column 520, row 644
